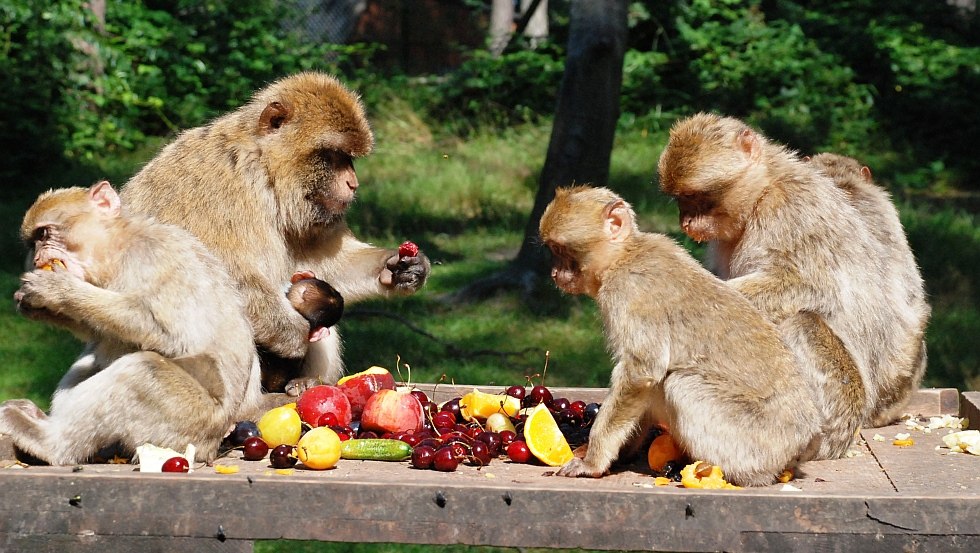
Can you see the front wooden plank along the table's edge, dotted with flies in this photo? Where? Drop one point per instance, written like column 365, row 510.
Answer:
column 519, row 506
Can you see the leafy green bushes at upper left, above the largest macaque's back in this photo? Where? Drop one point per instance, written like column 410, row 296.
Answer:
column 156, row 68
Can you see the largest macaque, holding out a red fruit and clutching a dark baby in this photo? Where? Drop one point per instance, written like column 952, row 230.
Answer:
column 266, row 188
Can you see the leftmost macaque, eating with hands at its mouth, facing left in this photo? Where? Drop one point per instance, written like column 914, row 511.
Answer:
column 169, row 358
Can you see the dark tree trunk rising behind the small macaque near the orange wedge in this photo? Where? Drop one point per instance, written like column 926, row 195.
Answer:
column 582, row 135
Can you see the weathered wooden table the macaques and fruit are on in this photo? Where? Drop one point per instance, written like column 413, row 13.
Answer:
column 888, row 498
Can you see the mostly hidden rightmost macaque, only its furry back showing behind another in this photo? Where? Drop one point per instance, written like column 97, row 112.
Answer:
column 899, row 272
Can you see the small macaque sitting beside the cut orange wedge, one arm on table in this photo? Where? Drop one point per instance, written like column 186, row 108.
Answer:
column 690, row 353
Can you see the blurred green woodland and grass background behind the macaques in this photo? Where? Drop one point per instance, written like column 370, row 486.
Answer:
column 463, row 96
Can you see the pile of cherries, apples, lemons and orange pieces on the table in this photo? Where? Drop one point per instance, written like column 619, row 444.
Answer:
column 366, row 416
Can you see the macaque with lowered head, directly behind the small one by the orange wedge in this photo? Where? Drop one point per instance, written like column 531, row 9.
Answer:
column 793, row 244
